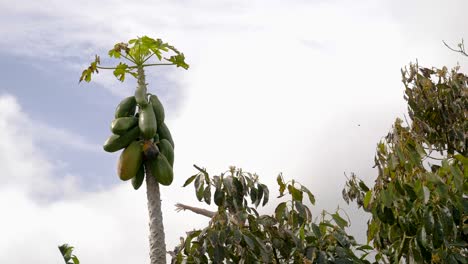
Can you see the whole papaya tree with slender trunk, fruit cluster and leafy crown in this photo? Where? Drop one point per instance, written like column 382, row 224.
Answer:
column 139, row 128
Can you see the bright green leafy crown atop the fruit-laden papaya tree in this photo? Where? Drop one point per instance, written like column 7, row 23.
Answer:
column 137, row 51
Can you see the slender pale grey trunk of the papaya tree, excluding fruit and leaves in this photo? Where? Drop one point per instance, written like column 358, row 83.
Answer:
column 156, row 227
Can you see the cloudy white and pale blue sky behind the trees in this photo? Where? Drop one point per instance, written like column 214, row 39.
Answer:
column 306, row 88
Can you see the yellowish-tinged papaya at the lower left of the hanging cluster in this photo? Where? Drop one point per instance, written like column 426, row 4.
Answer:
column 130, row 161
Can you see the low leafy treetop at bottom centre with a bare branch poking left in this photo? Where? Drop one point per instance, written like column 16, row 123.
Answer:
column 237, row 233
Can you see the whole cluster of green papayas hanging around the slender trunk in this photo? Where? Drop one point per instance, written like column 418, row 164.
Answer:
column 145, row 138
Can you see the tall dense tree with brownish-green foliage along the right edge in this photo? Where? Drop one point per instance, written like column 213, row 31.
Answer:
column 419, row 202
